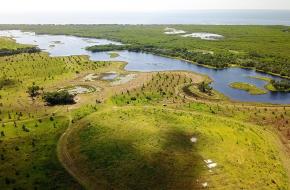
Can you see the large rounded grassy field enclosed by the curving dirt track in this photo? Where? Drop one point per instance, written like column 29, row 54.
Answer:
column 151, row 148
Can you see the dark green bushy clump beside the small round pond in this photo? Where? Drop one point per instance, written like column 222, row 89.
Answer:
column 62, row 97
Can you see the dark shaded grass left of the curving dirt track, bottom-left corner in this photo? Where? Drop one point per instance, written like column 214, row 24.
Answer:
column 28, row 155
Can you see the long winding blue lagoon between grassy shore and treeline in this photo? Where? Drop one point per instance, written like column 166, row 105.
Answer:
column 144, row 62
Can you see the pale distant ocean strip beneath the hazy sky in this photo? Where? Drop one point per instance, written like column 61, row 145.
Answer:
column 215, row 17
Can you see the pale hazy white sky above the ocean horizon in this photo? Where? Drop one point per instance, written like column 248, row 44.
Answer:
column 24, row 6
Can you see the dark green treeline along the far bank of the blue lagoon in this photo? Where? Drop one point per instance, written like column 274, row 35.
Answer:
column 266, row 63
